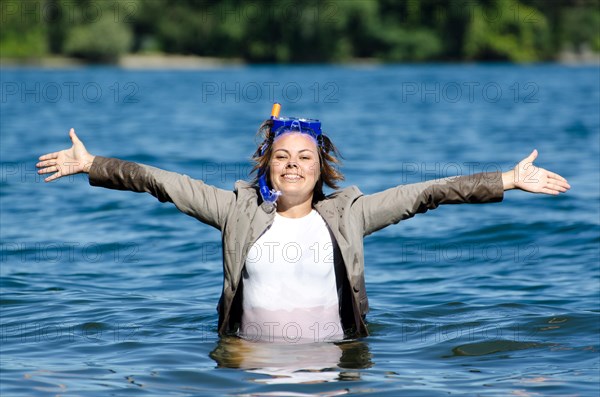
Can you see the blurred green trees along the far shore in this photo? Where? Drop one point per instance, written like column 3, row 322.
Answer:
column 302, row 31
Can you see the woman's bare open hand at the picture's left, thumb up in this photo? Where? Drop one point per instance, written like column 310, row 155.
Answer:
column 66, row 162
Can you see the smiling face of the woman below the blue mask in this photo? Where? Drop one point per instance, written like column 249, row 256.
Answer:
column 295, row 165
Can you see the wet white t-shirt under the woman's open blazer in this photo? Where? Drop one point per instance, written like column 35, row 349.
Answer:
column 290, row 291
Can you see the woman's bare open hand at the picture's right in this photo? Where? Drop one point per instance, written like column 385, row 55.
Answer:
column 530, row 178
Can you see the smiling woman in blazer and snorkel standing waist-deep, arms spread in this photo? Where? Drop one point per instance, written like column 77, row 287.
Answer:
column 292, row 258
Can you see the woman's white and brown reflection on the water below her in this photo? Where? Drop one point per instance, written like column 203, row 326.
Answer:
column 293, row 362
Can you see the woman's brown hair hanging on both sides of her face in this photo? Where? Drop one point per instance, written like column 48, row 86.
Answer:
column 329, row 159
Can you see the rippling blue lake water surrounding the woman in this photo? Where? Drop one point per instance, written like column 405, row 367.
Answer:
column 113, row 293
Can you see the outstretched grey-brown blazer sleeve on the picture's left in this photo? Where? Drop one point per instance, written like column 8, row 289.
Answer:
column 193, row 197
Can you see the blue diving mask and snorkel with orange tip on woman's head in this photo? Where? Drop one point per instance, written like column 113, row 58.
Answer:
column 282, row 125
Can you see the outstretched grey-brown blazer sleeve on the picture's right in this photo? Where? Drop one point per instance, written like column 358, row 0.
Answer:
column 389, row 207
